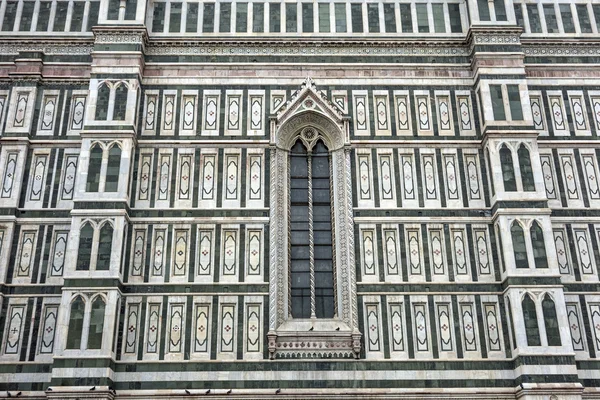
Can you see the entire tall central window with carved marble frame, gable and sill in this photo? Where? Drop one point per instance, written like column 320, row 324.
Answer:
column 311, row 130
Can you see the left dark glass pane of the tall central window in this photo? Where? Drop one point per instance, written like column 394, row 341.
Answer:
column 299, row 232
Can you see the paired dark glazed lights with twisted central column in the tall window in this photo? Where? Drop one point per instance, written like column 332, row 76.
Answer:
column 311, row 251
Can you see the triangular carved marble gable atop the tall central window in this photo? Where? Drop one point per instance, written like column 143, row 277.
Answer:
column 309, row 98
